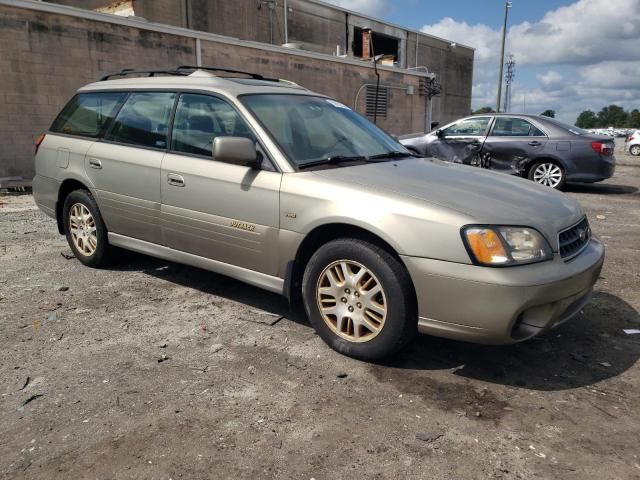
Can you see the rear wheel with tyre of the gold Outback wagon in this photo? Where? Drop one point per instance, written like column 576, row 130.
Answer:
column 85, row 231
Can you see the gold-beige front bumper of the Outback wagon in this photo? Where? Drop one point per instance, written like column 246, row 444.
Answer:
column 502, row 305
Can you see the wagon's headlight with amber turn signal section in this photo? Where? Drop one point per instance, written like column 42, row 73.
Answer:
column 503, row 246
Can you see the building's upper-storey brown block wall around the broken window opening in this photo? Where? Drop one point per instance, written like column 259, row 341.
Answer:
column 318, row 27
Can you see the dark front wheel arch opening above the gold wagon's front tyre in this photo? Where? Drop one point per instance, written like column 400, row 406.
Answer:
column 317, row 237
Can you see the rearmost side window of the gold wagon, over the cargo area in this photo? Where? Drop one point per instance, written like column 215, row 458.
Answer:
column 88, row 114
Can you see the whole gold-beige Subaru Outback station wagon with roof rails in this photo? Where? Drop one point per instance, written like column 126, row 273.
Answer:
column 267, row 182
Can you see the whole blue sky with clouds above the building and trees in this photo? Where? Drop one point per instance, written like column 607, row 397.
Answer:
column 570, row 55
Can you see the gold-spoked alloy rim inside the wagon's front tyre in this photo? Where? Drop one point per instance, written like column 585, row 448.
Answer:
column 351, row 301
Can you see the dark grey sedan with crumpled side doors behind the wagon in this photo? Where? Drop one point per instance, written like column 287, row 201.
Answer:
column 539, row 148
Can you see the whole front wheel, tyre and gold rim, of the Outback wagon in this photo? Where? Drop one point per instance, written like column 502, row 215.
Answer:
column 359, row 299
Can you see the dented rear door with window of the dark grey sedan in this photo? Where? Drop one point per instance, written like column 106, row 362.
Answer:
column 511, row 145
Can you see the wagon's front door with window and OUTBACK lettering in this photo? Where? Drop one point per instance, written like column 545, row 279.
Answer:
column 212, row 209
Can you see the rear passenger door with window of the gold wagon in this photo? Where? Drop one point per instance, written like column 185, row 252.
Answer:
column 125, row 167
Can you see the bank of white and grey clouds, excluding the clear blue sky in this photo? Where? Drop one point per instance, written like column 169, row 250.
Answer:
column 594, row 43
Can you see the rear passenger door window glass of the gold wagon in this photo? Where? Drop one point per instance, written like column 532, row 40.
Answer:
column 143, row 120
